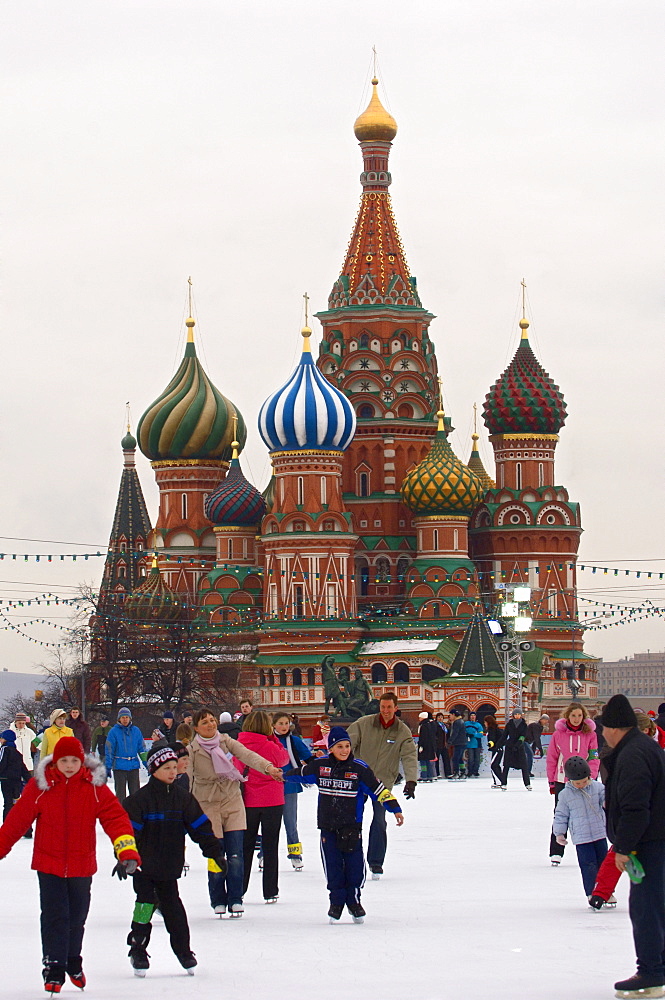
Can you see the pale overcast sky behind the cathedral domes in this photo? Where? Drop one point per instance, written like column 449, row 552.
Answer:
column 147, row 141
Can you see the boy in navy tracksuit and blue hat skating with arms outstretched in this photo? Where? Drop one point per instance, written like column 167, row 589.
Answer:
column 344, row 782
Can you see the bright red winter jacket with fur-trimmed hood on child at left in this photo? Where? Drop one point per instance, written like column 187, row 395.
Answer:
column 66, row 811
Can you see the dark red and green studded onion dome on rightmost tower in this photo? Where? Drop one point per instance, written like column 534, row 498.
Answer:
column 524, row 400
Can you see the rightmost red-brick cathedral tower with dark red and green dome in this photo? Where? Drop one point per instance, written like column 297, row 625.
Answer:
column 527, row 530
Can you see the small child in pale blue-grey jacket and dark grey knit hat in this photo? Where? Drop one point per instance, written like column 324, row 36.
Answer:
column 580, row 810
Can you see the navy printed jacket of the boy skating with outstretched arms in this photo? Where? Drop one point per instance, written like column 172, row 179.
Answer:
column 343, row 786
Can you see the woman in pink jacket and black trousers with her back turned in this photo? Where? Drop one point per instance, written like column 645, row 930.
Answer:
column 264, row 801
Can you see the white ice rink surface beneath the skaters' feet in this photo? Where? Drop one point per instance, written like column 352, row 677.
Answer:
column 469, row 904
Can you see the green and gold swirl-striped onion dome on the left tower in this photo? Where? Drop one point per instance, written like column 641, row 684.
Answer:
column 191, row 419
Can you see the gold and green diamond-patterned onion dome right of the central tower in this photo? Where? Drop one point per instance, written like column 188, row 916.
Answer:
column 441, row 483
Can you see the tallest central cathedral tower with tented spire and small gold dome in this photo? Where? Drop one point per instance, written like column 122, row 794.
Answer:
column 376, row 350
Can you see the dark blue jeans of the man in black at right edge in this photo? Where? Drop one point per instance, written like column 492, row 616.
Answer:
column 646, row 908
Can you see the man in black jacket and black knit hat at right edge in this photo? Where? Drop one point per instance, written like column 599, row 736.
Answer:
column 635, row 805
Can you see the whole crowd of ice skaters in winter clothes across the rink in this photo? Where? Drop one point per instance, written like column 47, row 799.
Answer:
column 230, row 783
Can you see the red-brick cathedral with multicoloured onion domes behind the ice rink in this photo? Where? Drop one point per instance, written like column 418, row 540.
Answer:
column 375, row 553
